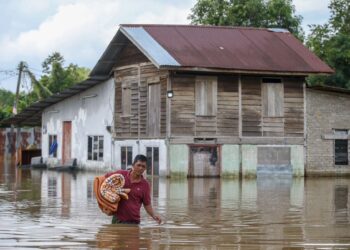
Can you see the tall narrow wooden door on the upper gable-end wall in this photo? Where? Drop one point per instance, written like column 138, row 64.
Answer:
column 153, row 117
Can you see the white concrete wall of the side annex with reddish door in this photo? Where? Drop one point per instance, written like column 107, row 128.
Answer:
column 89, row 116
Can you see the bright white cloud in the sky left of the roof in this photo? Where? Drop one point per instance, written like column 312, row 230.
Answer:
column 81, row 30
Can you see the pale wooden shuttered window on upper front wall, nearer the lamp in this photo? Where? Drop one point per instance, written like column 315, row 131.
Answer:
column 206, row 95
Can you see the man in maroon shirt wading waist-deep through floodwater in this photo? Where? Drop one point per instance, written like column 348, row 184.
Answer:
column 129, row 210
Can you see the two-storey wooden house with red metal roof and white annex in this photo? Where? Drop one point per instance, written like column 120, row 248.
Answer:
column 198, row 101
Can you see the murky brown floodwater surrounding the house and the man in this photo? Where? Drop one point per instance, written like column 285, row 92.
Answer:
column 48, row 209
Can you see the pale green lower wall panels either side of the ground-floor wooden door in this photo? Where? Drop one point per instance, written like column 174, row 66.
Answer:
column 249, row 160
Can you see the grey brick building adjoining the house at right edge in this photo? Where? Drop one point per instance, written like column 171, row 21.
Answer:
column 328, row 131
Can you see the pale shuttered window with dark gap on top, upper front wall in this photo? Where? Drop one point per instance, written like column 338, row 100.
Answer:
column 272, row 97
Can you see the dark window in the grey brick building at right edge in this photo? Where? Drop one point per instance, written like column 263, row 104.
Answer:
column 341, row 152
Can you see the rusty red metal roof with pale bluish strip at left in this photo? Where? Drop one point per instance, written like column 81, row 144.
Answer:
column 232, row 48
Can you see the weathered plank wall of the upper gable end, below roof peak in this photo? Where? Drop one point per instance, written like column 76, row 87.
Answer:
column 135, row 125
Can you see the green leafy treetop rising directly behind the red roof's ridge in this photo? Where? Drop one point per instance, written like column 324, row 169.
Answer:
column 248, row 13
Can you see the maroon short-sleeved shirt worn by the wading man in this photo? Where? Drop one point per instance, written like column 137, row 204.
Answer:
column 129, row 210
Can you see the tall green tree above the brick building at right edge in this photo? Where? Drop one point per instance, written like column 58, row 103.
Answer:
column 331, row 42
